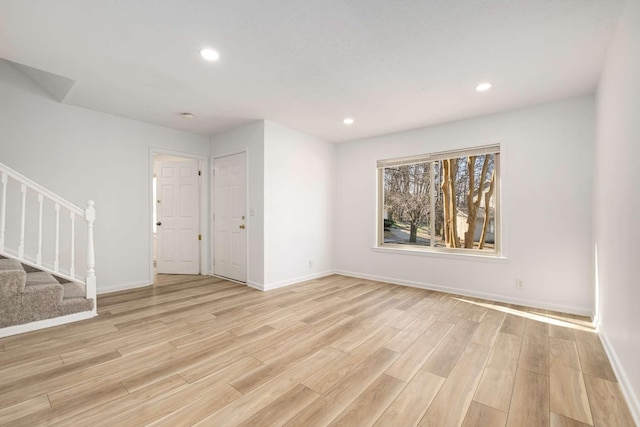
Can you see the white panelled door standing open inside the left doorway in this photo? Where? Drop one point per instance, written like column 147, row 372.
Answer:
column 178, row 222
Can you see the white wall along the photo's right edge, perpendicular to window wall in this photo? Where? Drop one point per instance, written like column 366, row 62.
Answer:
column 617, row 204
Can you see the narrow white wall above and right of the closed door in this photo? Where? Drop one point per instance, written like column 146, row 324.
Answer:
column 250, row 138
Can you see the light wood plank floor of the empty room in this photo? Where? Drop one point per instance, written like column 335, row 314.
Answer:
column 196, row 350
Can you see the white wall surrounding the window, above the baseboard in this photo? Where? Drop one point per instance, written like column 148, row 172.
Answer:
column 546, row 161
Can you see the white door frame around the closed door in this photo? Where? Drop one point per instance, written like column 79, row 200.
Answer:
column 212, row 206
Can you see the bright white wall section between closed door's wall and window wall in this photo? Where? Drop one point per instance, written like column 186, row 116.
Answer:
column 299, row 185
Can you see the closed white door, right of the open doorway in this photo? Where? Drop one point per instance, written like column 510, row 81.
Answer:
column 230, row 210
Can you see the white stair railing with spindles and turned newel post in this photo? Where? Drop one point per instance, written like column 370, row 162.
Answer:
column 88, row 214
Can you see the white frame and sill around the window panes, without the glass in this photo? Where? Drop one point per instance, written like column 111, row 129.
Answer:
column 497, row 251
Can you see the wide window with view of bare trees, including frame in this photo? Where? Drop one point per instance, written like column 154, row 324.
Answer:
column 444, row 202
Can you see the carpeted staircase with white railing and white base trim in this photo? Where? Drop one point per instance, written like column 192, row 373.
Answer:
column 47, row 258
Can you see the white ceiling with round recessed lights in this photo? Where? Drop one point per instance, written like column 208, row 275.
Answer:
column 308, row 64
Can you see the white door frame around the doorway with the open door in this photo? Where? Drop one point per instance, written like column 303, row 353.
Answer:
column 203, row 164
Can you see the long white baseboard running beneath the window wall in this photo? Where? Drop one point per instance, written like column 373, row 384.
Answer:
column 465, row 292
